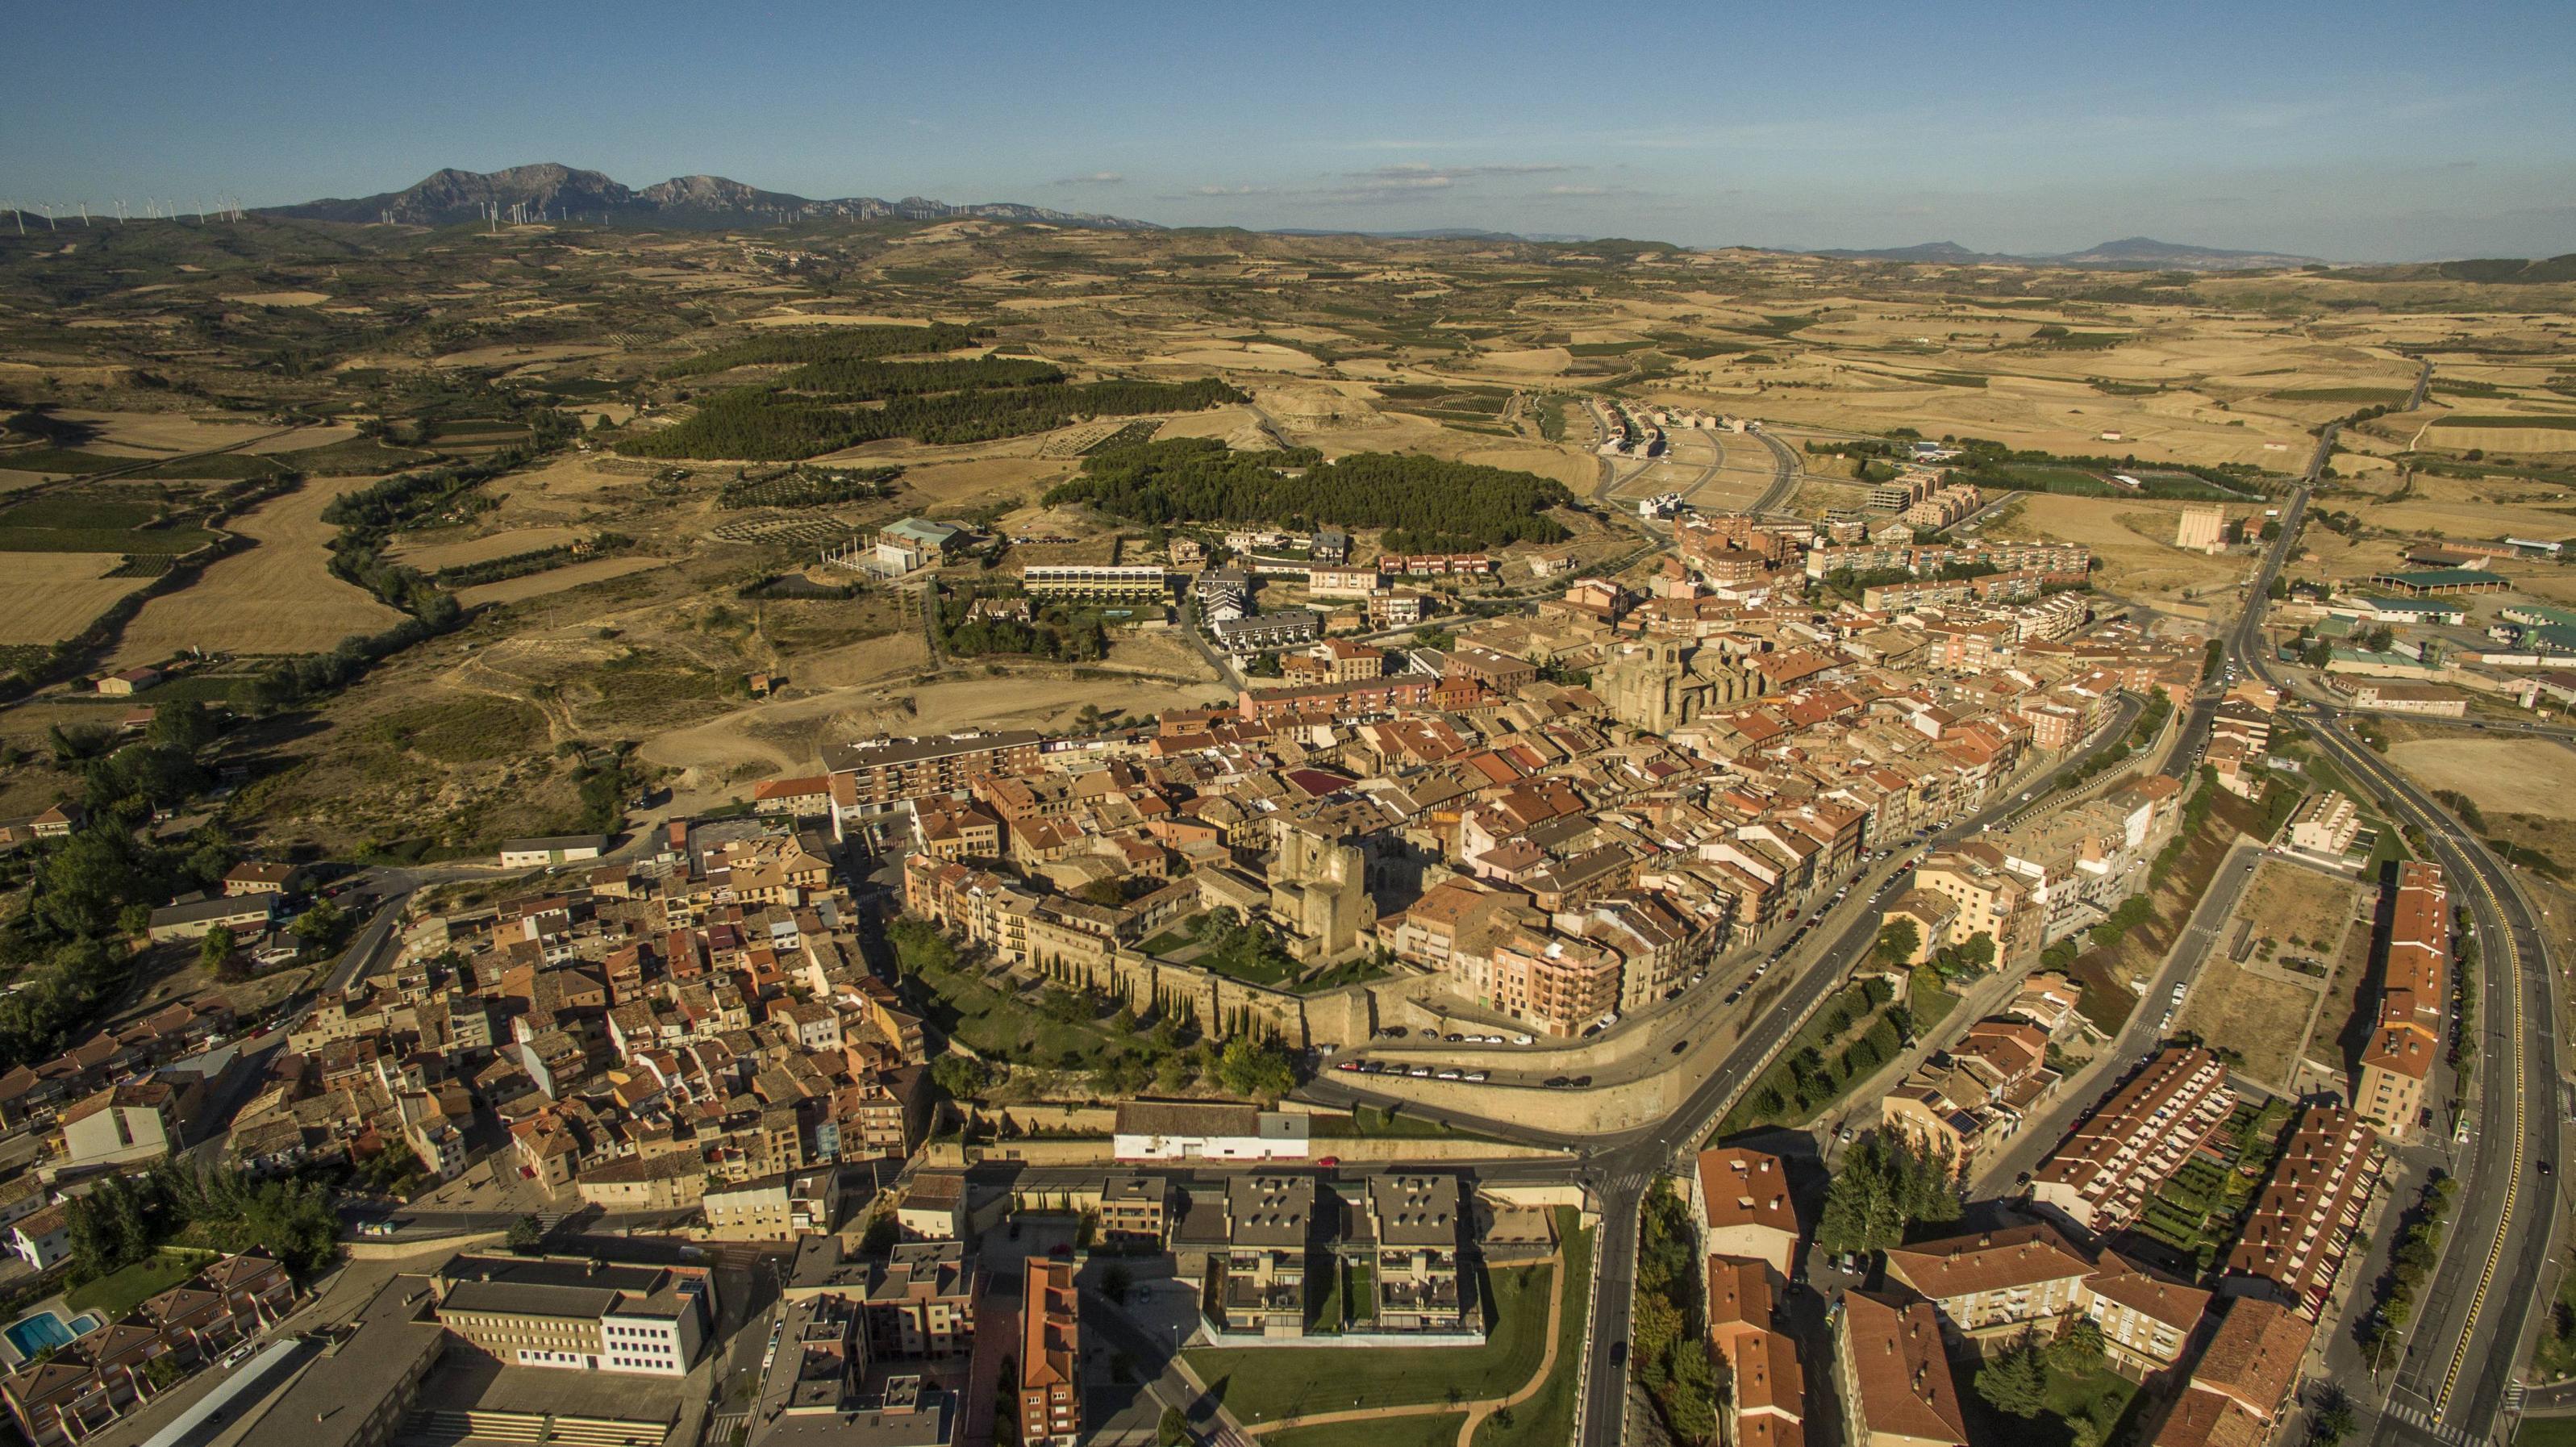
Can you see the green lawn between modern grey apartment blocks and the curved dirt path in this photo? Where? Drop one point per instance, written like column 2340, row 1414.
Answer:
column 1266, row 1384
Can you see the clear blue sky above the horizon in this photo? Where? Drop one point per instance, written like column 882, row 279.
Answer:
column 2356, row 133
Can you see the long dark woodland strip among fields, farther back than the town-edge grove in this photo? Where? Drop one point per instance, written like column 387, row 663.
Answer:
column 774, row 426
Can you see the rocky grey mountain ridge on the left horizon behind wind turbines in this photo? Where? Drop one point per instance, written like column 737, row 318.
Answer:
column 550, row 189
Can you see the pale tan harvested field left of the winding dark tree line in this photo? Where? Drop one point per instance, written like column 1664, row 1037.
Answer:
column 272, row 599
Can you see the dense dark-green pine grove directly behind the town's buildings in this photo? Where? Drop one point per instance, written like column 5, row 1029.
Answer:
column 1431, row 501
